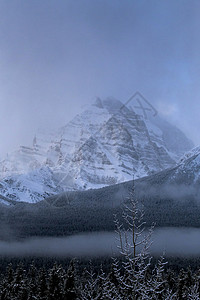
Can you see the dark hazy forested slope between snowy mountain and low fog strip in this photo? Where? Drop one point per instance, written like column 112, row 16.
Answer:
column 94, row 210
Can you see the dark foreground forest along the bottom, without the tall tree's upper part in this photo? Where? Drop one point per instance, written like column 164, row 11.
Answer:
column 70, row 282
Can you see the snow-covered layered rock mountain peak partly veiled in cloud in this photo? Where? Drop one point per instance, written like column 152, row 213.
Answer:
column 106, row 144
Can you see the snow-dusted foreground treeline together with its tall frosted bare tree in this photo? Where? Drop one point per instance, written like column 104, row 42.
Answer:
column 134, row 278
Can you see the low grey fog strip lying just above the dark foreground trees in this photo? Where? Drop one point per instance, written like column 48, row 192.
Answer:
column 170, row 241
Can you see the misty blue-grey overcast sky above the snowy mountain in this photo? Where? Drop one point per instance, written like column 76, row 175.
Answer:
column 58, row 55
